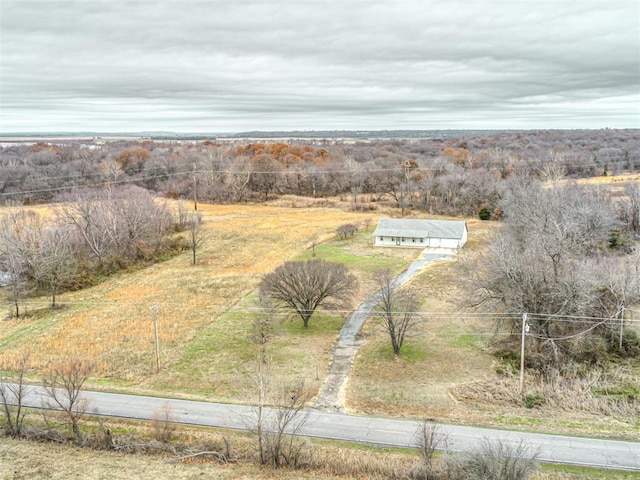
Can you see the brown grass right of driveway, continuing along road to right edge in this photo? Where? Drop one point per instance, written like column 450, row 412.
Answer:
column 447, row 372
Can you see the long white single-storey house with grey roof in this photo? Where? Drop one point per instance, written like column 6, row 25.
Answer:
column 419, row 233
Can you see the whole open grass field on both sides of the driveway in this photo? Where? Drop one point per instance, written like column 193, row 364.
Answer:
column 205, row 313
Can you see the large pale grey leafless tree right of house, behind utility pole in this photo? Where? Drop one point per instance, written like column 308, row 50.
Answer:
column 547, row 261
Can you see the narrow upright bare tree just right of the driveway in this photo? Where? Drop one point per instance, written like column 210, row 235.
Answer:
column 396, row 310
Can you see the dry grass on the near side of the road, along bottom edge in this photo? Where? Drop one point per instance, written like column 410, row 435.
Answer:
column 27, row 460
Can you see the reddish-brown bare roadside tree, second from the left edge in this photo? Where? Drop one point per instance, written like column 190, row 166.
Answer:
column 63, row 385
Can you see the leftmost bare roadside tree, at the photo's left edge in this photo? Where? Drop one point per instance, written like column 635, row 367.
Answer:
column 12, row 396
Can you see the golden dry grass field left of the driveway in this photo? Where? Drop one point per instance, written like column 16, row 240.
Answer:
column 204, row 311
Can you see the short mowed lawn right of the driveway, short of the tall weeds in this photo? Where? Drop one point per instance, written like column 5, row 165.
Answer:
column 445, row 348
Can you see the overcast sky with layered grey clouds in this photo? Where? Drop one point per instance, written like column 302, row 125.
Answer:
column 237, row 66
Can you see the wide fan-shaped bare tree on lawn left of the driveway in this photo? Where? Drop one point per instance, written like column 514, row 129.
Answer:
column 304, row 286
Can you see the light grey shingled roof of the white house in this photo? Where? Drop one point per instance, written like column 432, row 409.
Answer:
column 419, row 228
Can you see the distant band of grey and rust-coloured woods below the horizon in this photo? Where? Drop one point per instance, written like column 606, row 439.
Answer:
column 453, row 175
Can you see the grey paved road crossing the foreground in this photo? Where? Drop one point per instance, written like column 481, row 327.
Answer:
column 376, row 431
